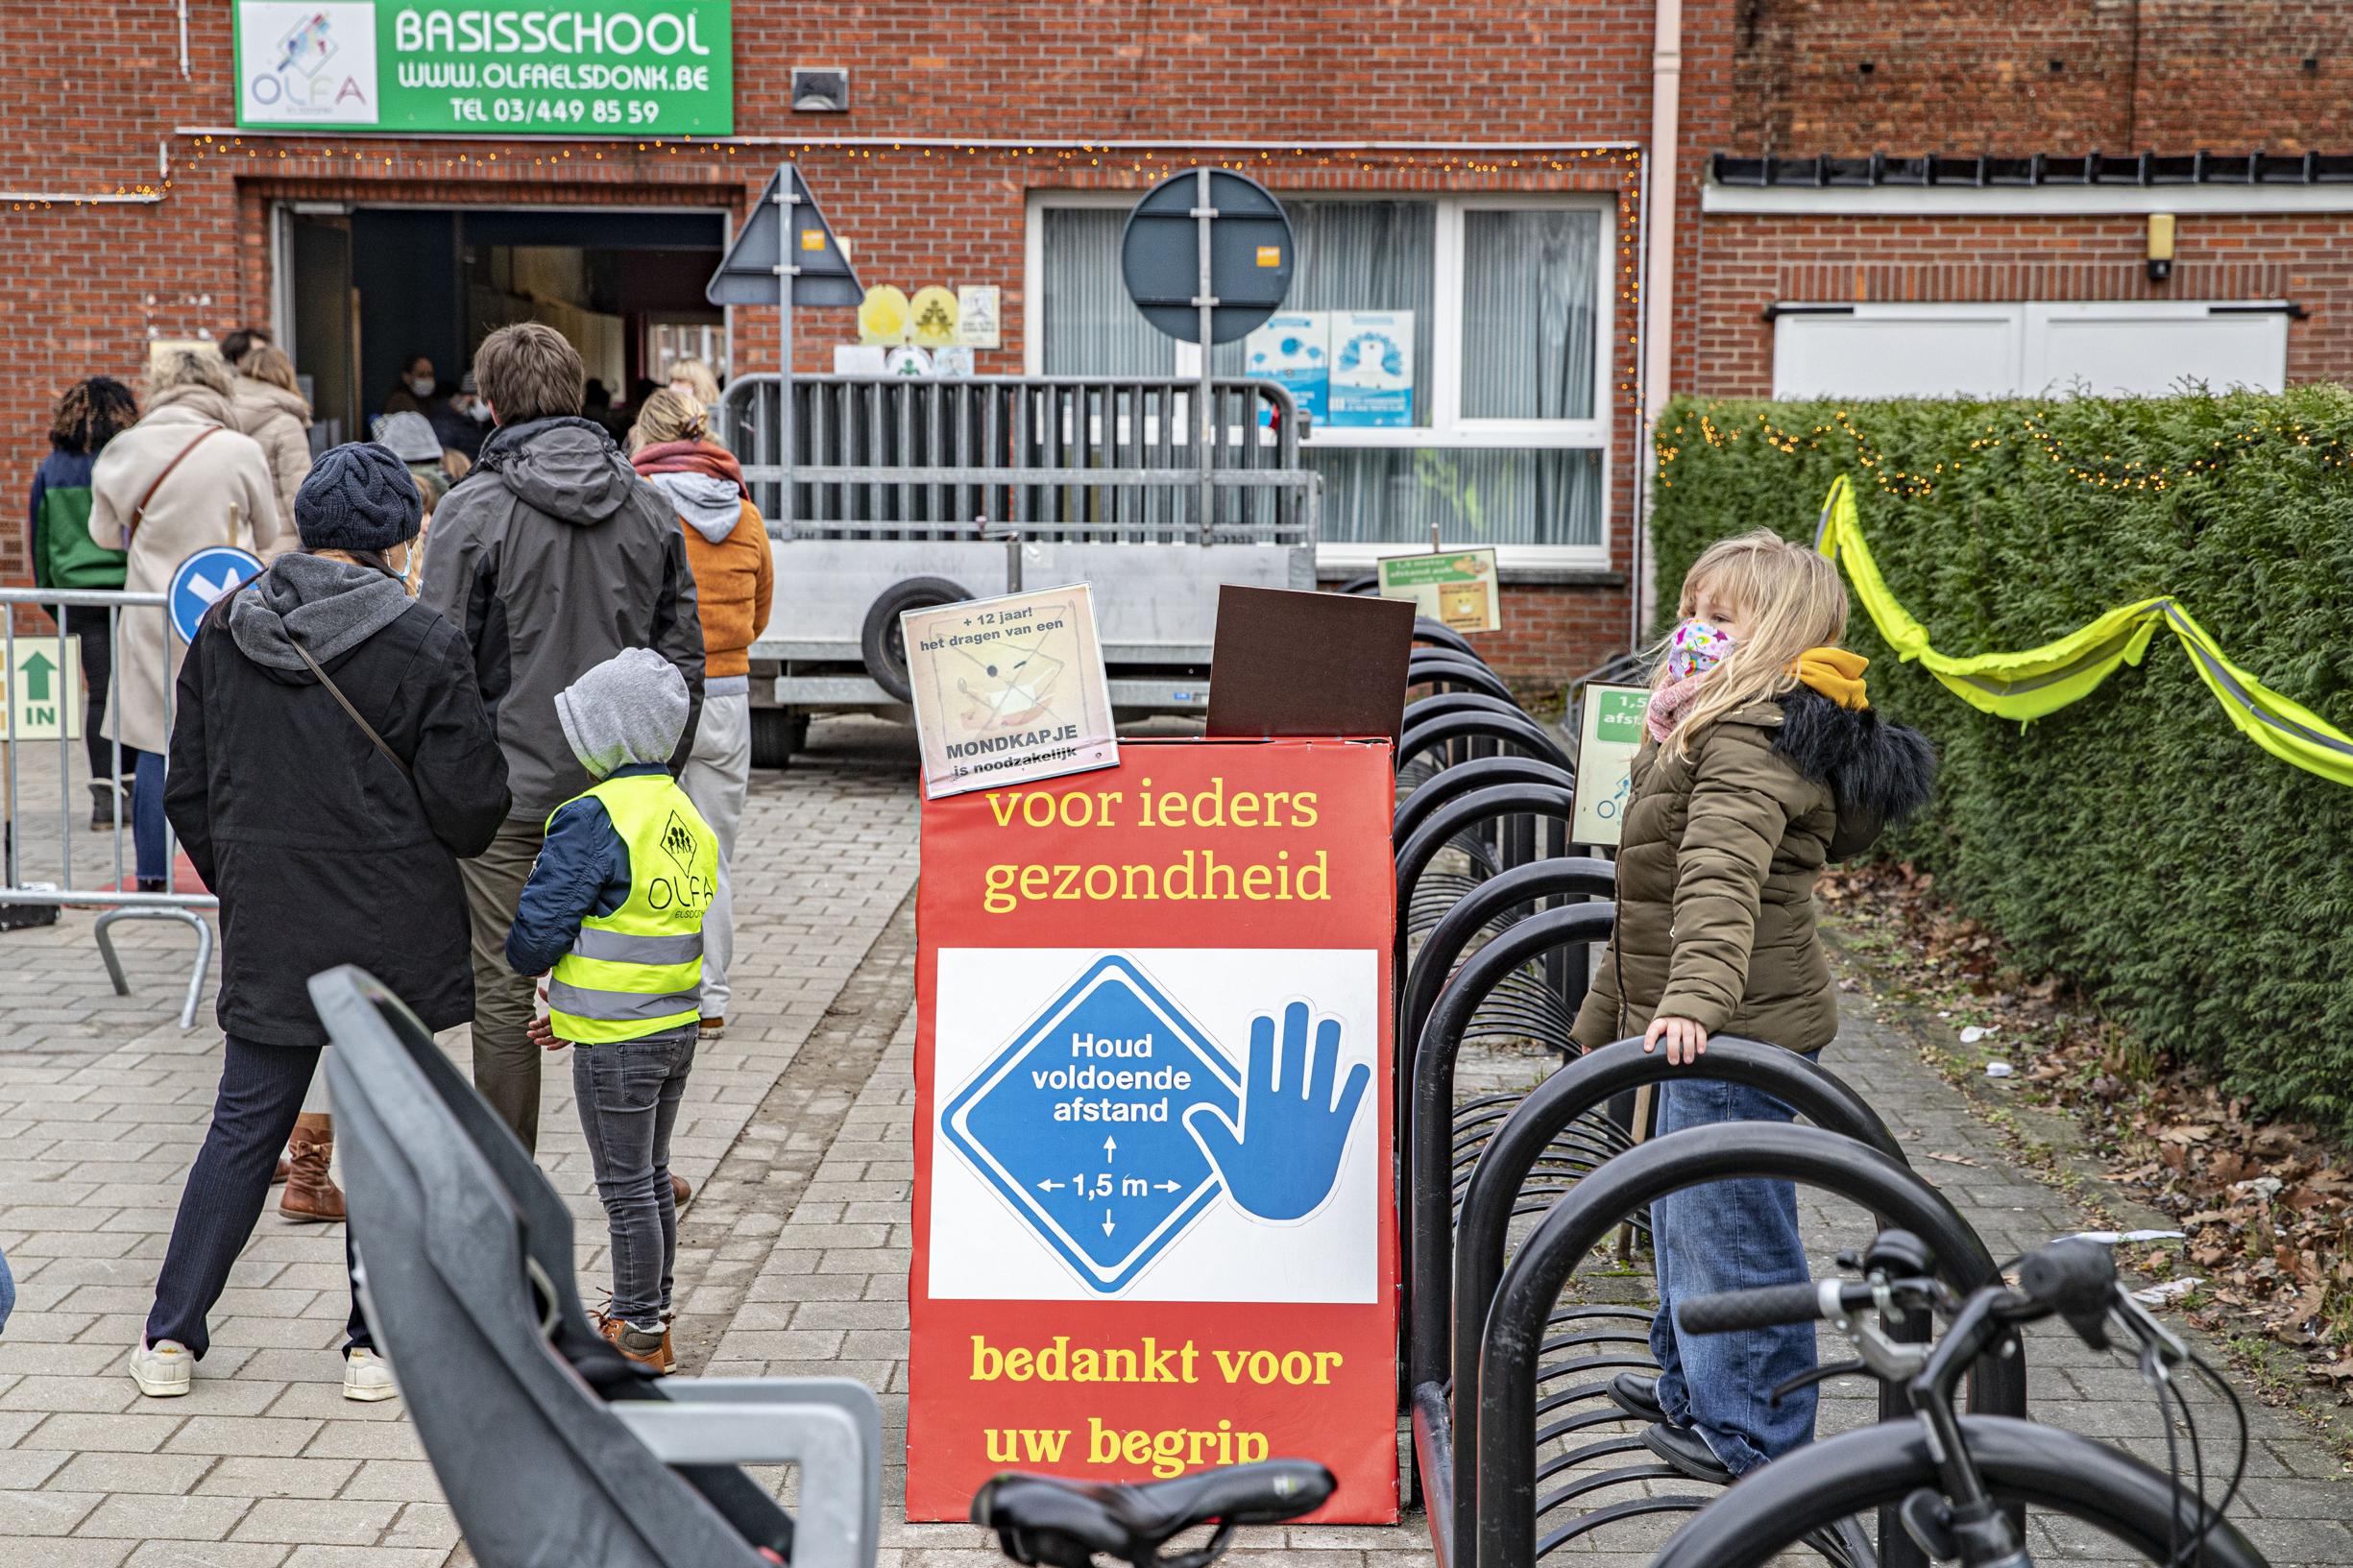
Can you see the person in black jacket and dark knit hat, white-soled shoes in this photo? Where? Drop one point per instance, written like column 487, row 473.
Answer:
column 328, row 838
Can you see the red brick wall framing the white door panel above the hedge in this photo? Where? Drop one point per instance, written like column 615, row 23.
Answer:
column 1754, row 262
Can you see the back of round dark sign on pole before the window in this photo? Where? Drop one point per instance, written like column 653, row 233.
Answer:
column 1251, row 255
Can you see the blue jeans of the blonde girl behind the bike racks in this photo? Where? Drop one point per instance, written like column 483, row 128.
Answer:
column 1731, row 1238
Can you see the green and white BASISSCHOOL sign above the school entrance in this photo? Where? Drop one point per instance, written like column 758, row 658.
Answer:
column 488, row 67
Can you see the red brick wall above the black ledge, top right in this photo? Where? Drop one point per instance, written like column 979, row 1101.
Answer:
column 1975, row 76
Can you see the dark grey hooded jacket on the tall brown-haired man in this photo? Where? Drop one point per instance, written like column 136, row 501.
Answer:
column 552, row 558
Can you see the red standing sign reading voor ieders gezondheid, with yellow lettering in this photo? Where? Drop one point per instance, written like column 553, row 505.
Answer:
column 1152, row 1094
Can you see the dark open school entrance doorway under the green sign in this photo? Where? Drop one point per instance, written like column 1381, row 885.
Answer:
column 364, row 293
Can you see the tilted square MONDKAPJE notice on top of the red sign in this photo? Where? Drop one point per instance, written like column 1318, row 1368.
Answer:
column 1008, row 690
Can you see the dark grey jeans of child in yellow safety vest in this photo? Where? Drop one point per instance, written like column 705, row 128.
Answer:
column 627, row 1097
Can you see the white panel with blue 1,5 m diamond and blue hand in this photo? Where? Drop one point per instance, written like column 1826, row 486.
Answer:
column 1159, row 1125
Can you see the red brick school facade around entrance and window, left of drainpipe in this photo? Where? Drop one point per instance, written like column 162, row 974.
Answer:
column 91, row 286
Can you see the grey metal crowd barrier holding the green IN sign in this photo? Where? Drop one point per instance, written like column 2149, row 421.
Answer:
column 53, row 869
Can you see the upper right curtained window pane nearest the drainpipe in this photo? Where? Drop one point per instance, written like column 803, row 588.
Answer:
column 1531, row 300
